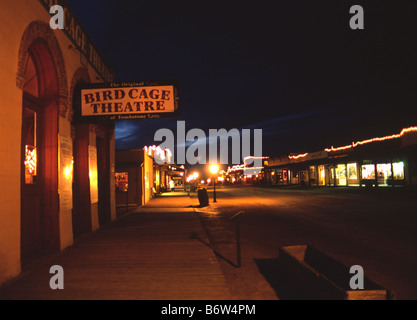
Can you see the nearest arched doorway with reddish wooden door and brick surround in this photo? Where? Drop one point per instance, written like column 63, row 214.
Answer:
column 44, row 88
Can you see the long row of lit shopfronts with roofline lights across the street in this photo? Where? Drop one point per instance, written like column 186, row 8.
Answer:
column 378, row 162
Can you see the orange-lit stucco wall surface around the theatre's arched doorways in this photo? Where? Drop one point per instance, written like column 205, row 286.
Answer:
column 15, row 17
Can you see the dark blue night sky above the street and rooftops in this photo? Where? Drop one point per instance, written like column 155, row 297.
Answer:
column 292, row 68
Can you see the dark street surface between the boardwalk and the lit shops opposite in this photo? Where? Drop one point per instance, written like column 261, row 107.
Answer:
column 375, row 229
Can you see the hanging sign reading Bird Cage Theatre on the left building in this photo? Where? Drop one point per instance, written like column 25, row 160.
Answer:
column 124, row 101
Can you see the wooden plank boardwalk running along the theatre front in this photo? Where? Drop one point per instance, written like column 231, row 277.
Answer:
column 149, row 254
